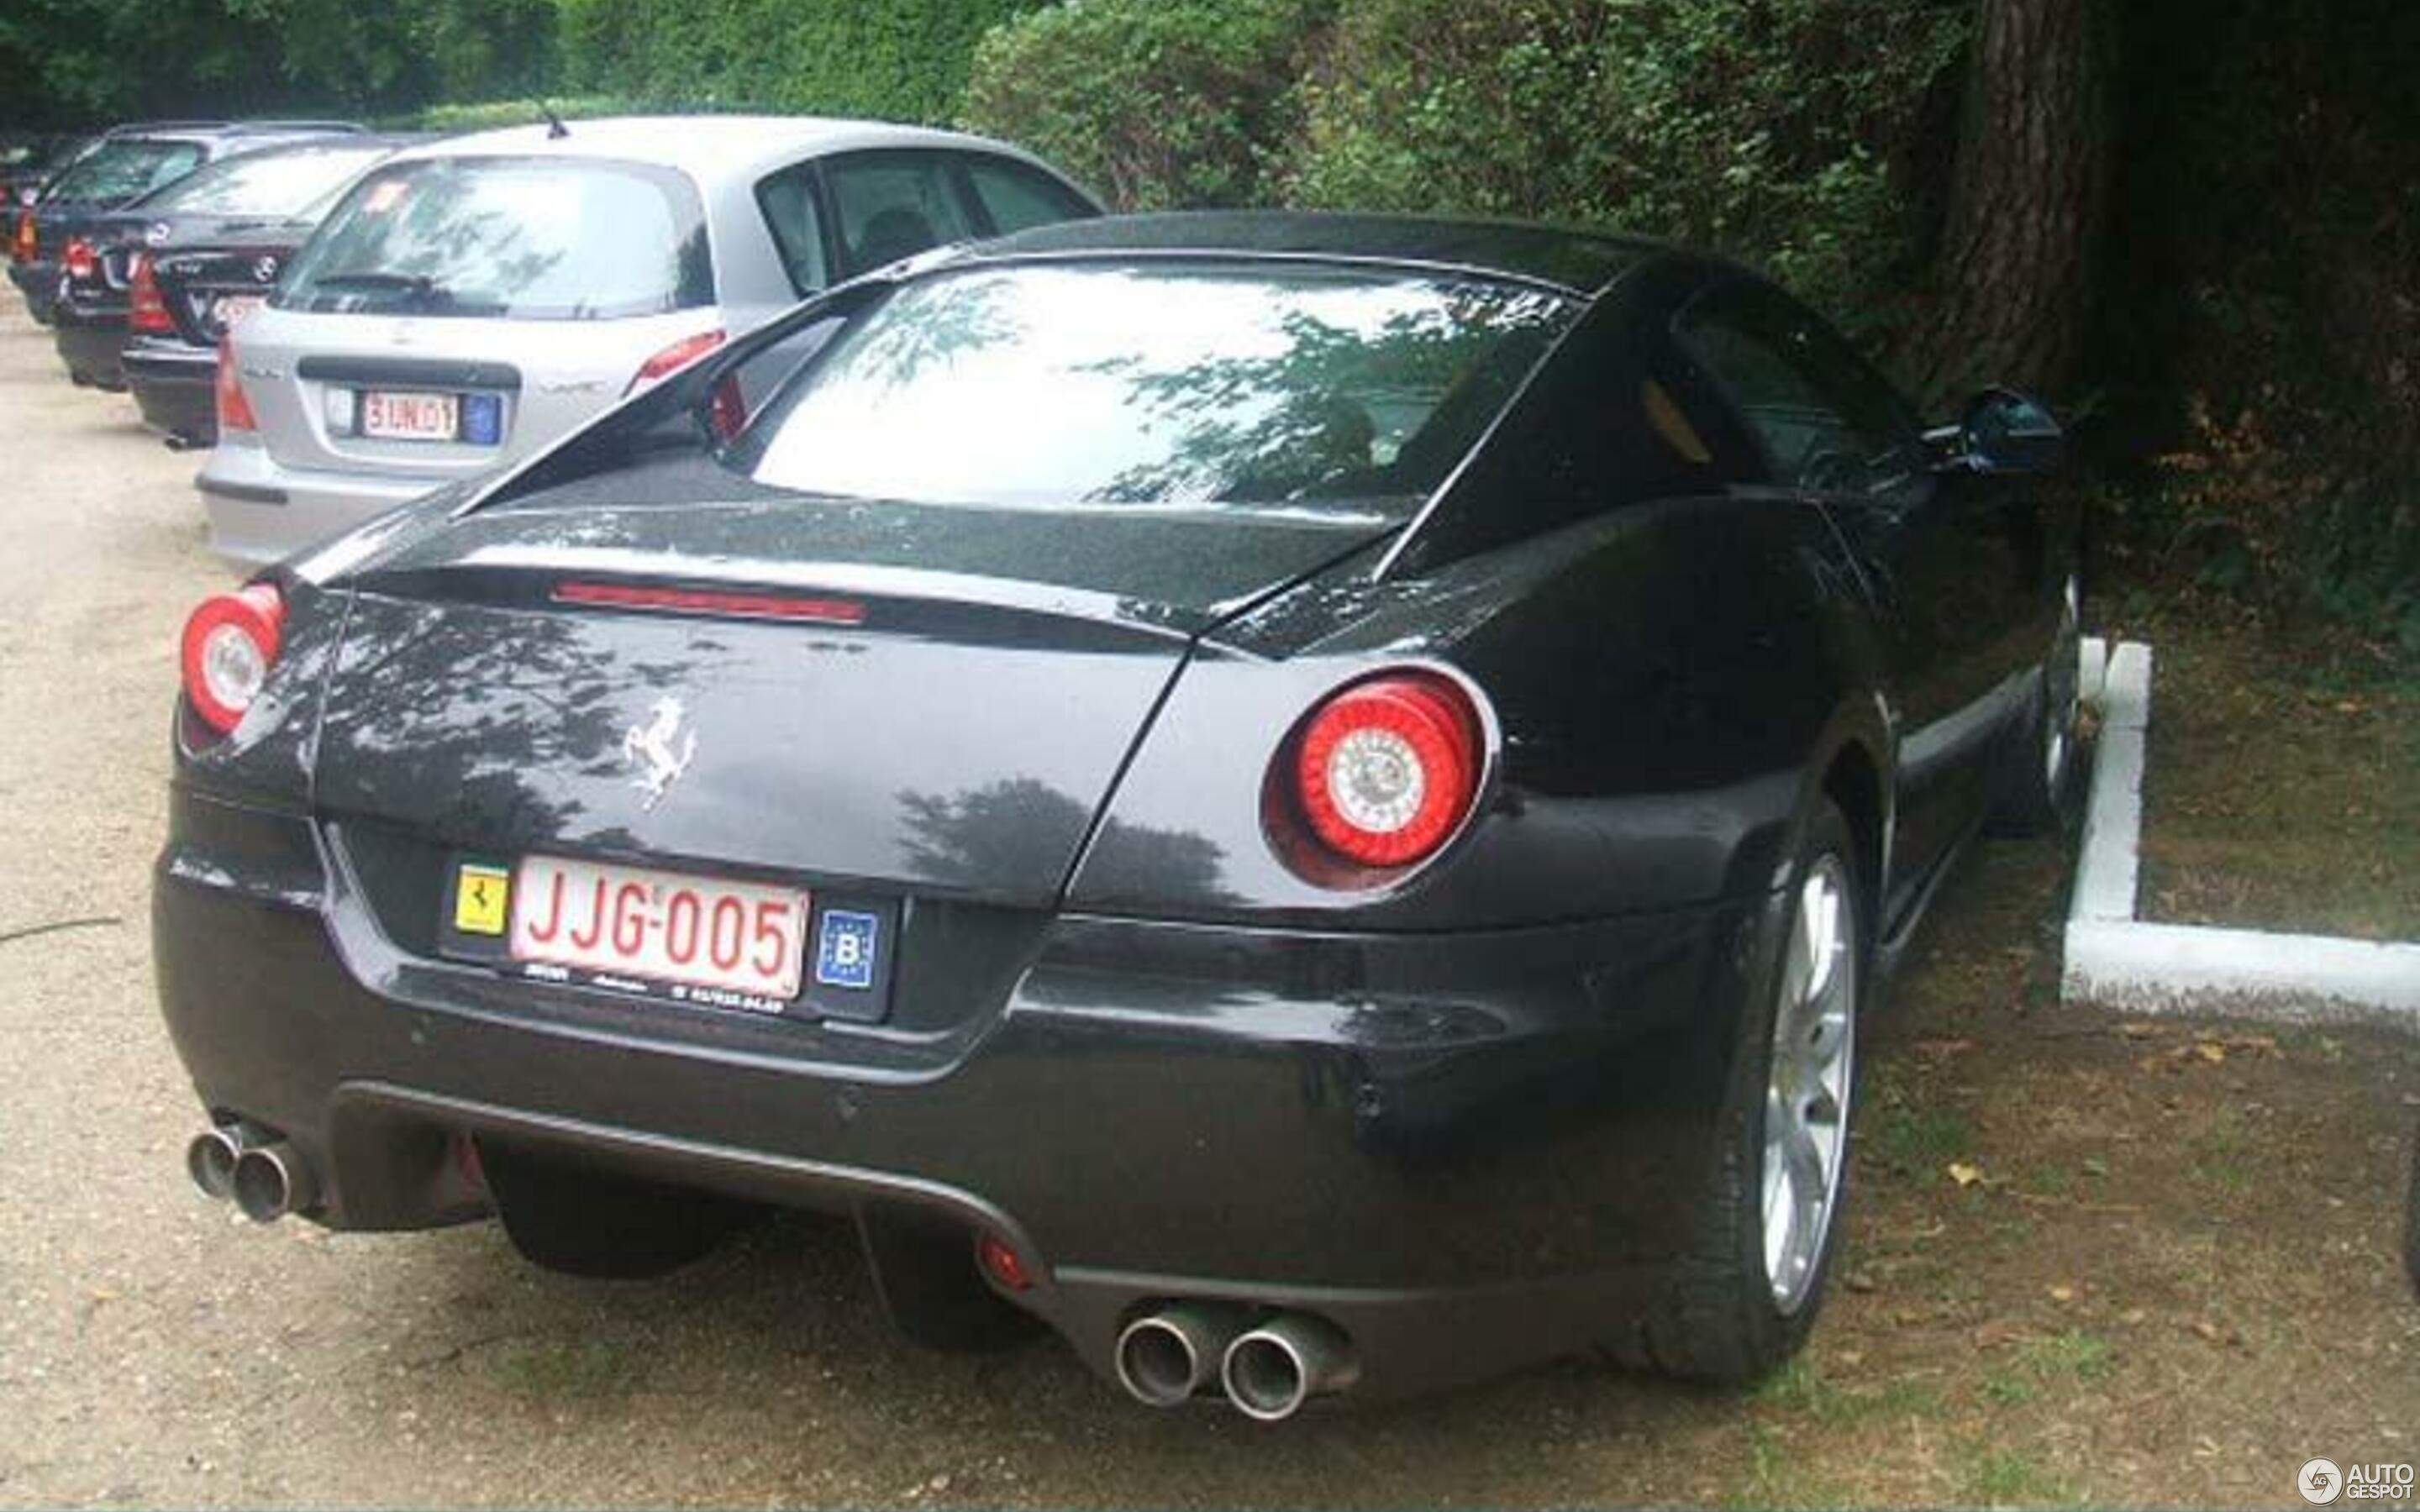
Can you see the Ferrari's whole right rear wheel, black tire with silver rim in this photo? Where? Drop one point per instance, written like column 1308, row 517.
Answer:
column 1746, row 1295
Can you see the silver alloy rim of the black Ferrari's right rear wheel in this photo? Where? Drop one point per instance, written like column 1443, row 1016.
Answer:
column 1811, row 1073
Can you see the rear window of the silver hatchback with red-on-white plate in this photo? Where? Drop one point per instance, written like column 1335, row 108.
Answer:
column 529, row 238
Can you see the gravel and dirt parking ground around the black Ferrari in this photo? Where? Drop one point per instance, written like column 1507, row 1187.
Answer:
column 2170, row 1283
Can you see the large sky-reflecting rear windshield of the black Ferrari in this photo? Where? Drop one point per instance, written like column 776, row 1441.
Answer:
column 1156, row 386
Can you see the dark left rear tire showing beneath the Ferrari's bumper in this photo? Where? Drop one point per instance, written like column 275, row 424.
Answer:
column 577, row 1220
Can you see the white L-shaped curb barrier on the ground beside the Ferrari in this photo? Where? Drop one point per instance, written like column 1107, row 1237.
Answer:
column 2155, row 969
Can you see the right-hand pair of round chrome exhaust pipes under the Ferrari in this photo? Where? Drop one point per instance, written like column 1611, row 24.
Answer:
column 1267, row 1370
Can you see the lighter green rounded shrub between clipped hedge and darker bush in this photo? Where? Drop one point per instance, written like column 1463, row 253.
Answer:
column 1153, row 103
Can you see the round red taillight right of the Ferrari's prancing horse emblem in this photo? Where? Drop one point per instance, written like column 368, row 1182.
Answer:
column 1390, row 768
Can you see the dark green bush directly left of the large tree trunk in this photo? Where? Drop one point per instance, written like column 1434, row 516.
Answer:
column 1773, row 129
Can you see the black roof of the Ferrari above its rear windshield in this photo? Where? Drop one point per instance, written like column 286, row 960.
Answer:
column 1574, row 260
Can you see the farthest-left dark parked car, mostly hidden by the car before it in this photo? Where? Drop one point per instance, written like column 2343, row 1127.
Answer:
column 129, row 163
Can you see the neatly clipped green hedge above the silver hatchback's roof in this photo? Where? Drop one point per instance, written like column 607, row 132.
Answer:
column 897, row 62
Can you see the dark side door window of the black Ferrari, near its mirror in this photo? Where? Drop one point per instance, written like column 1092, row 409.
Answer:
column 1819, row 410
